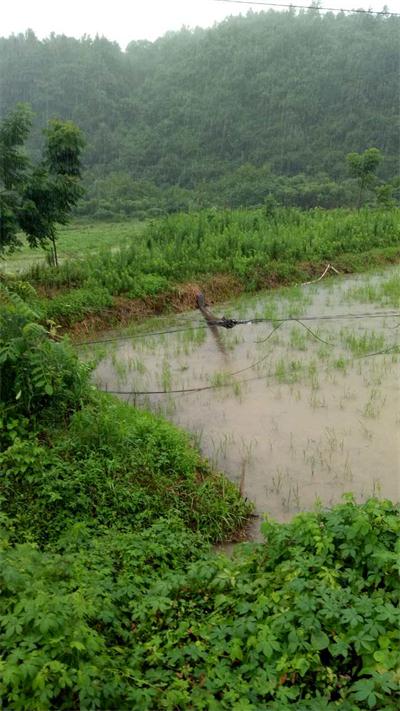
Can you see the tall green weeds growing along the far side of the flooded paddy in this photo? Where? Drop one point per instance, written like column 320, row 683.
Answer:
column 258, row 247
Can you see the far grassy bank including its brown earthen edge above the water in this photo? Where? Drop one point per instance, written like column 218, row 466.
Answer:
column 224, row 252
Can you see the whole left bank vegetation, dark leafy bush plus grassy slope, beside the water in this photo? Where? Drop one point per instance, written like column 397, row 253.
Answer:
column 82, row 457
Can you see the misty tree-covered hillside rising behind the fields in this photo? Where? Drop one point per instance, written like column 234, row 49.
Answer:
column 229, row 113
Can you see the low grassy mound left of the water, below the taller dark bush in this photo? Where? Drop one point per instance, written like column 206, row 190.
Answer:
column 113, row 466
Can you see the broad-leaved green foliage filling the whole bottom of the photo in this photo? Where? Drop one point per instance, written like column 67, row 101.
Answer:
column 151, row 620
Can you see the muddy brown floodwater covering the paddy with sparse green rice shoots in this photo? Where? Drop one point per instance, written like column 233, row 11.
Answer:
column 296, row 412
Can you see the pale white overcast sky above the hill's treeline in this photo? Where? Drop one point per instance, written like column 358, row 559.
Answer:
column 126, row 20
